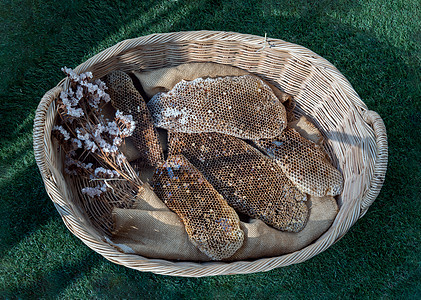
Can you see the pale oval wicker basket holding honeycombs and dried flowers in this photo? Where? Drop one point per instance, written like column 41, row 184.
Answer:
column 356, row 136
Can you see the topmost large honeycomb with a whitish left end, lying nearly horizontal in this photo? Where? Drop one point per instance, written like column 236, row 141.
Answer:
column 242, row 106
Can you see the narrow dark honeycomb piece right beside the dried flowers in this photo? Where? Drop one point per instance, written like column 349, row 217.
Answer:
column 126, row 98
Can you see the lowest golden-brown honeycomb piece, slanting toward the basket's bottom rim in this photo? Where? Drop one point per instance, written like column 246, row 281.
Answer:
column 211, row 224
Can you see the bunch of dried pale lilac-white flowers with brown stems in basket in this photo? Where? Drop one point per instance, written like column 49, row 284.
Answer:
column 85, row 134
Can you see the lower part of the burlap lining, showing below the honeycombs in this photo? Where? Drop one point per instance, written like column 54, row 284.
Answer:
column 152, row 230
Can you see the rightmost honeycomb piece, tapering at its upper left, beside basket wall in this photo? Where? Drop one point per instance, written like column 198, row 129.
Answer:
column 304, row 163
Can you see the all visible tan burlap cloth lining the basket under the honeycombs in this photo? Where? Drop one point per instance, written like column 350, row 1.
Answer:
column 152, row 230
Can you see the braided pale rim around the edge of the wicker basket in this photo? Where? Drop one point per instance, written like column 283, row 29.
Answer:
column 90, row 237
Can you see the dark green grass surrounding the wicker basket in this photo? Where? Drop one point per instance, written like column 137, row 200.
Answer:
column 376, row 44
